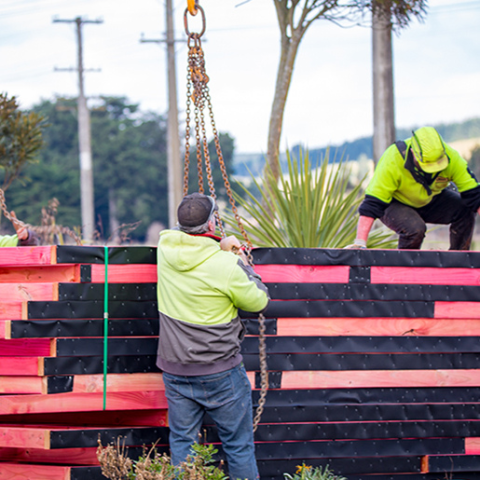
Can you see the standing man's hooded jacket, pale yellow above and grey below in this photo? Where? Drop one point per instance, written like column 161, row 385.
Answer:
column 200, row 289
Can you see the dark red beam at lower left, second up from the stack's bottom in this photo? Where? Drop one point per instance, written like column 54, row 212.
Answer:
column 66, row 456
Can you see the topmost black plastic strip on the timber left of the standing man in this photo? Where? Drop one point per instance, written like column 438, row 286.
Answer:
column 96, row 254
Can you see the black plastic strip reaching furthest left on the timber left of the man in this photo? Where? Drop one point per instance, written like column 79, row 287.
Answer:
column 83, row 328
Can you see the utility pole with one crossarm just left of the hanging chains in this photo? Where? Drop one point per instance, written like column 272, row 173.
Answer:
column 175, row 189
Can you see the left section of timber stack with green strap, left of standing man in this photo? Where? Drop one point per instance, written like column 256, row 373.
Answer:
column 52, row 404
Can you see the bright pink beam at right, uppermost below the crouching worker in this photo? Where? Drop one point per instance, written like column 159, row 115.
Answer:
column 425, row 275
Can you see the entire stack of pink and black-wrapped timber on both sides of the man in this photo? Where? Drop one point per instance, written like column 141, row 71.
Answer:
column 373, row 361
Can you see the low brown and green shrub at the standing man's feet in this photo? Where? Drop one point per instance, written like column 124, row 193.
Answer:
column 116, row 465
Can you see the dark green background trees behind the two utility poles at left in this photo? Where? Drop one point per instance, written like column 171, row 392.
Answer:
column 129, row 163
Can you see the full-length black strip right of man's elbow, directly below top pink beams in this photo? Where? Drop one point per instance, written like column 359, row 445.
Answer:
column 376, row 291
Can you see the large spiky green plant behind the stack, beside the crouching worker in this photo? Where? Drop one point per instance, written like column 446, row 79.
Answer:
column 309, row 208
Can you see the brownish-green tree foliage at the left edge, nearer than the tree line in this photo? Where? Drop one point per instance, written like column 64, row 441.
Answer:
column 20, row 138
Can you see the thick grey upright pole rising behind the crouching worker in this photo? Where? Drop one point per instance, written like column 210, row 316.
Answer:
column 383, row 96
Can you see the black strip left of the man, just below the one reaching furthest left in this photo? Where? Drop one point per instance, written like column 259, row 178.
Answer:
column 77, row 347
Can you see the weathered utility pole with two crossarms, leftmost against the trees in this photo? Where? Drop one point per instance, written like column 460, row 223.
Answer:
column 84, row 138
